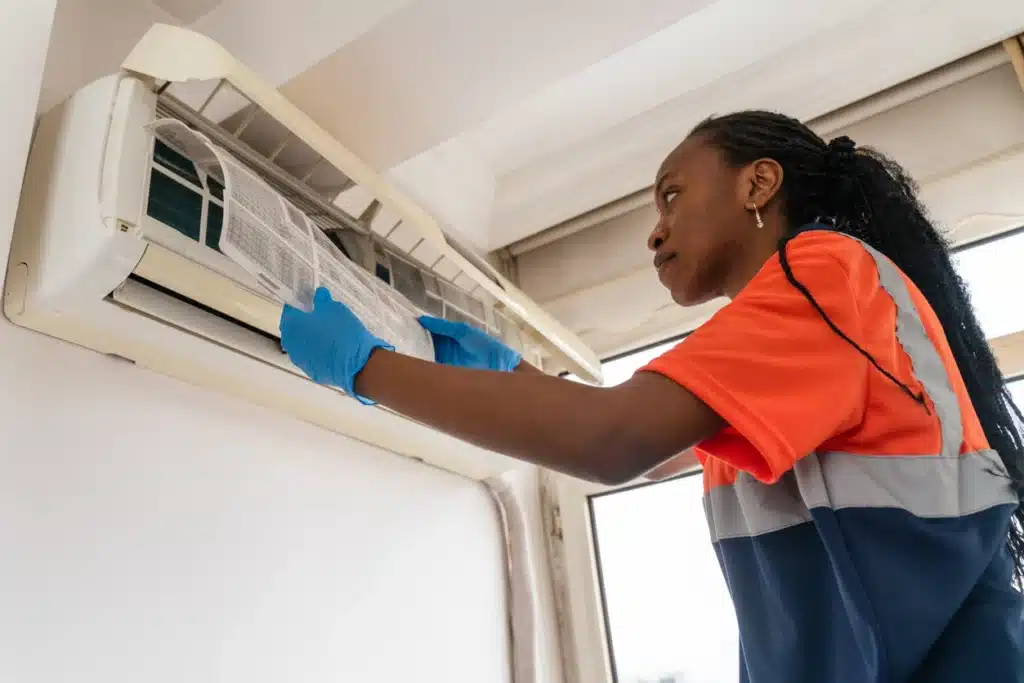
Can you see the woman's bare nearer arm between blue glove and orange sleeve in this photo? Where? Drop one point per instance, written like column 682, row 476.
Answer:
column 610, row 436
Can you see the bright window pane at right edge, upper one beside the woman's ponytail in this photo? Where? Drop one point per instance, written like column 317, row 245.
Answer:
column 995, row 277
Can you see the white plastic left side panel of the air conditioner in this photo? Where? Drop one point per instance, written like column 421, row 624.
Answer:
column 65, row 258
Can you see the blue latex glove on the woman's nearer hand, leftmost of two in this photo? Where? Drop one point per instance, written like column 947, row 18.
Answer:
column 330, row 345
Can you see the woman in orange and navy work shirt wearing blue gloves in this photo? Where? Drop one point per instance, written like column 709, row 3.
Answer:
column 863, row 461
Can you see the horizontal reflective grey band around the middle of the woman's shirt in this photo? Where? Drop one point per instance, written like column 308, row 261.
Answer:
column 929, row 487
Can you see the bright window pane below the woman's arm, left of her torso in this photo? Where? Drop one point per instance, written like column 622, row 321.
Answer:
column 669, row 612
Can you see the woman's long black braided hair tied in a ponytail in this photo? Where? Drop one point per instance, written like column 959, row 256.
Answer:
column 861, row 193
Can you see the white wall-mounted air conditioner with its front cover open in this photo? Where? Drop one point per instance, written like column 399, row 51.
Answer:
column 120, row 243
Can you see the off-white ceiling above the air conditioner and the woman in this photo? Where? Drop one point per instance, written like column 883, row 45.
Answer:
column 506, row 119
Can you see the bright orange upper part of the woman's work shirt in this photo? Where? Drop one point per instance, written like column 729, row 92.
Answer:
column 788, row 386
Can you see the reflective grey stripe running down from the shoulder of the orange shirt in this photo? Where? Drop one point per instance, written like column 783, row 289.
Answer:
column 924, row 357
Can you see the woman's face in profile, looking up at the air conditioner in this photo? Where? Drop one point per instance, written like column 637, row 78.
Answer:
column 705, row 212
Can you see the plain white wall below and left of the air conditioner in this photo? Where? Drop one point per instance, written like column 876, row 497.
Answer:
column 152, row 532
